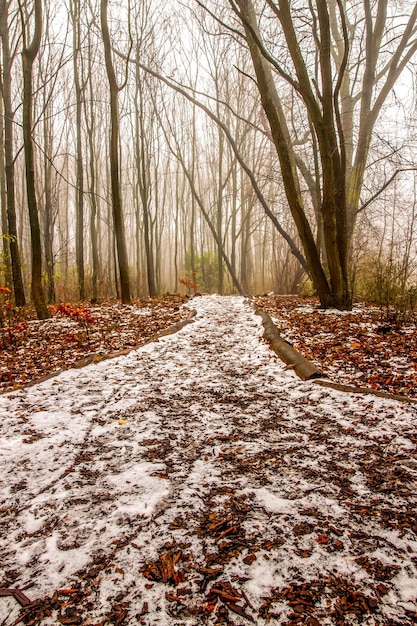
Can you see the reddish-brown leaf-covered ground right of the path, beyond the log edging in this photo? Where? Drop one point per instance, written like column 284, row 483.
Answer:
column 357, row 348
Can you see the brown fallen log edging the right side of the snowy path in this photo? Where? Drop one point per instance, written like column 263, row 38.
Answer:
column 304, row 368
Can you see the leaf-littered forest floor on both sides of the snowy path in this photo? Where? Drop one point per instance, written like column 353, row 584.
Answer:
column 361, row 348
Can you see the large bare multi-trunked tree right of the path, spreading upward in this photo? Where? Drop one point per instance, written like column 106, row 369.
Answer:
column 320, row 95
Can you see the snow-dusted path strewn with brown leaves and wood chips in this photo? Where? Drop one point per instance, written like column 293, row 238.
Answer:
column 195, row 480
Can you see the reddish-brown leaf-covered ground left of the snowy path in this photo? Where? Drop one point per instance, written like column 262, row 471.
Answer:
column 30, row 349
